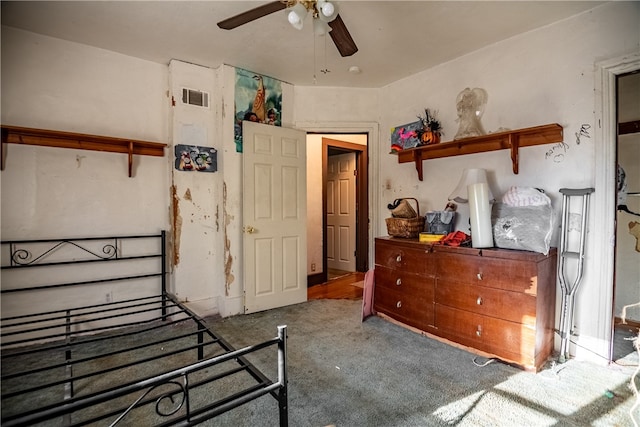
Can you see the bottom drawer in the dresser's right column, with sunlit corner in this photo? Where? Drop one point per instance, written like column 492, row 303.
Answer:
column 509, row 340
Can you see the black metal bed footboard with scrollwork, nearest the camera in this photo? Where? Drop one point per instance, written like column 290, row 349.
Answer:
column 170, row 394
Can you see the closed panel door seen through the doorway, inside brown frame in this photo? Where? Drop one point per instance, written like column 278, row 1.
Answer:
column 341, row 212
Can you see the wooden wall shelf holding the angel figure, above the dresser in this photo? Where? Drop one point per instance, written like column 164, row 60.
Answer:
column 511, row 140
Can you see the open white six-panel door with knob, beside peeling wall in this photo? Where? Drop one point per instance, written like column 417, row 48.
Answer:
column 274, row 216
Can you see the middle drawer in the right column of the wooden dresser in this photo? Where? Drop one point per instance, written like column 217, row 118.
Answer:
column 513, row 306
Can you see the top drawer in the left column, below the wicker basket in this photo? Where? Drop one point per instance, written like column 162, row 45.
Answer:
column 417, row 259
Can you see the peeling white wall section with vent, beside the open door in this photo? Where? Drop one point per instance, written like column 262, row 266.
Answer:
column 197, row 197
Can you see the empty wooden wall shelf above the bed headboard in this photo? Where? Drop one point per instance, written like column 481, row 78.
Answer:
column 53, row 138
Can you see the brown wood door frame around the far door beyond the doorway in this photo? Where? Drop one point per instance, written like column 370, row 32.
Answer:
column 362, row 201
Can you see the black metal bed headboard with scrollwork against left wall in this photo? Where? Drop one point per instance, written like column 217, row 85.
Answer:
column 76, row 274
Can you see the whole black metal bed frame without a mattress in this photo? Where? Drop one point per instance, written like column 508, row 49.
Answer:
column 58, row 340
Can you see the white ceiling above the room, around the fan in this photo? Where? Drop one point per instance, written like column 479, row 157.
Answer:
column 395, row 38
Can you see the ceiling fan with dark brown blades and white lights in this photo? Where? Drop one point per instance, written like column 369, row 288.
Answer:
column 325, row 19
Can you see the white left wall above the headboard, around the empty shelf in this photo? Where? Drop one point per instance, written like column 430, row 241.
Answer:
column 50, row 84
